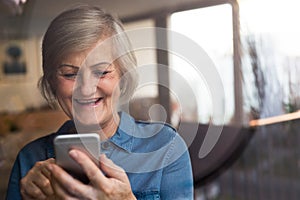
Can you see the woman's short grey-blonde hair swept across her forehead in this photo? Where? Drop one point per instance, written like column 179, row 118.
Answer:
column 76, row 30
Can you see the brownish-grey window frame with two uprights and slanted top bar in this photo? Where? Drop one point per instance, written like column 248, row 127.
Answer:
column 161, row 18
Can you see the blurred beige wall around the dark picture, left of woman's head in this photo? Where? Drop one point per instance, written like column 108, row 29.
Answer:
column 19, row 92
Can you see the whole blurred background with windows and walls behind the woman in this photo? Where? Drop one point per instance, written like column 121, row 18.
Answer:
column 253, row 46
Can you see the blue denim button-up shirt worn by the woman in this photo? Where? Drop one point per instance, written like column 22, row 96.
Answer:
column 153, row 155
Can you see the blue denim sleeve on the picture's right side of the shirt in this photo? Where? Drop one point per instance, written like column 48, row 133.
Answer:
column 177, row 177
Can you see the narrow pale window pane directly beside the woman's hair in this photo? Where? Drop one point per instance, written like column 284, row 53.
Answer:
column 146, row 94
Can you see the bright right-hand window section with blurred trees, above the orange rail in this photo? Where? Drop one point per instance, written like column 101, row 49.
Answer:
column 271, row 63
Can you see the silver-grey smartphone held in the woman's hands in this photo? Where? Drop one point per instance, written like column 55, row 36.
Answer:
column 88, row 143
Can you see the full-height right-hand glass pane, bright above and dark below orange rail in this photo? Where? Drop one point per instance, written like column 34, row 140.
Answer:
column 269, row 167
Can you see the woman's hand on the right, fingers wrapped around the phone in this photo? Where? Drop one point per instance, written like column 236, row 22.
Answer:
column 113, row 185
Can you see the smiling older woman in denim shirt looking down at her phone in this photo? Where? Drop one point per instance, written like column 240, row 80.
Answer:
column 89, row 69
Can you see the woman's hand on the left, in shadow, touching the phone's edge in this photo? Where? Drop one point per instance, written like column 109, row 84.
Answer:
column 36, row 183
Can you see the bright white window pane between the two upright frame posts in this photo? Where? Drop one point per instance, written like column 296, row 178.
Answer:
column 211, row 29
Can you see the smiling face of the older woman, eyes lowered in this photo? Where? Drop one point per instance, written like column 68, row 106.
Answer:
column 88, row 86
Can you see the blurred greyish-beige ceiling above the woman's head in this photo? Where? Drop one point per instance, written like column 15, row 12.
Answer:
column 37, row 14
